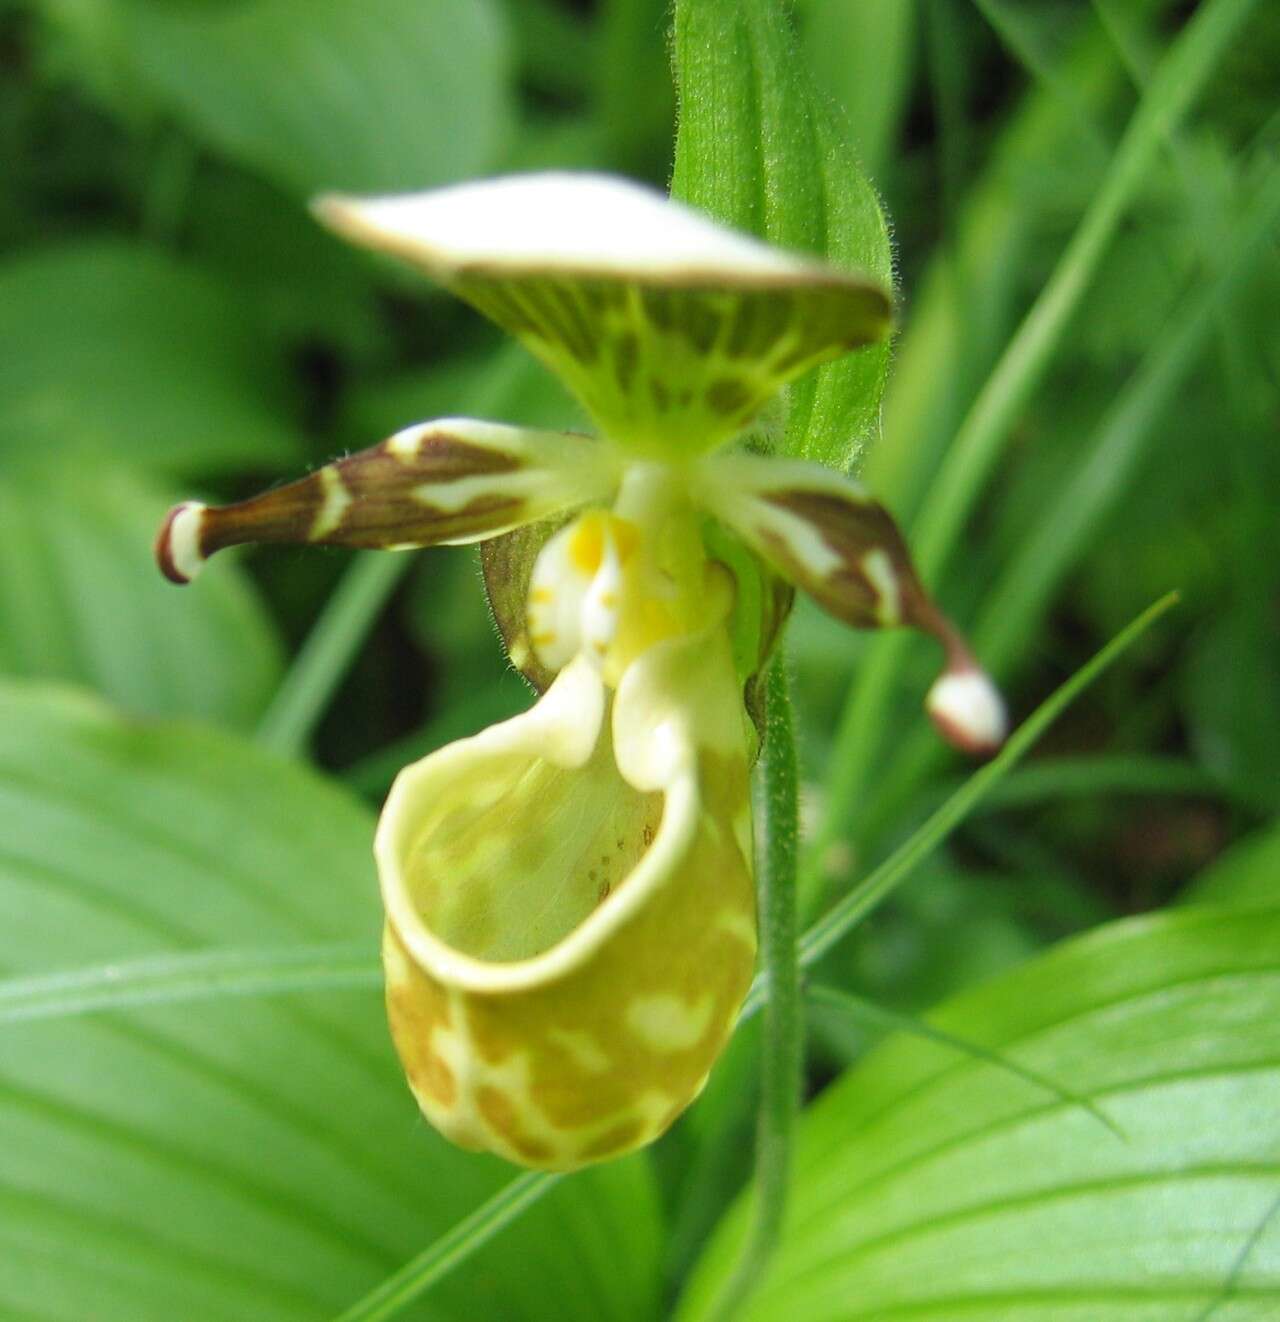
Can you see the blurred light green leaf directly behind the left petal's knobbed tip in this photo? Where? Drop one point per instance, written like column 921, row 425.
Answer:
column 81, row 601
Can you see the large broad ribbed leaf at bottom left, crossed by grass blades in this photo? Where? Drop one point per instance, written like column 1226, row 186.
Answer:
column 232, row 1160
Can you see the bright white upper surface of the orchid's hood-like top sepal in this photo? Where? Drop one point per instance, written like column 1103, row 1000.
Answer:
column 577, row 223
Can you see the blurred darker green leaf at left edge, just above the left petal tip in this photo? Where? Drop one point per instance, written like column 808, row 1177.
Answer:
column 122, row 351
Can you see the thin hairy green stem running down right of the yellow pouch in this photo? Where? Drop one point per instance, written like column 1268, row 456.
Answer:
column 783, row 1032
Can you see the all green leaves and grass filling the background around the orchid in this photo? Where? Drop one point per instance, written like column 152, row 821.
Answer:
column 173, row 323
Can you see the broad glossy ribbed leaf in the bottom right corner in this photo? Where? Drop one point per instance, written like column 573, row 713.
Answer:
column 942, row 1190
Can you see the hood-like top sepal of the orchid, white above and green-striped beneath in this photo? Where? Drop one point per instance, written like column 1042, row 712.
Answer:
column 672, row 331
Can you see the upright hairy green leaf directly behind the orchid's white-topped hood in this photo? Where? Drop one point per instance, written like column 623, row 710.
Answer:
column 760, row 151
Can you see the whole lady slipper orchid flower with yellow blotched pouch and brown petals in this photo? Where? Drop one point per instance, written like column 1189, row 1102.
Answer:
column 571, row 921
